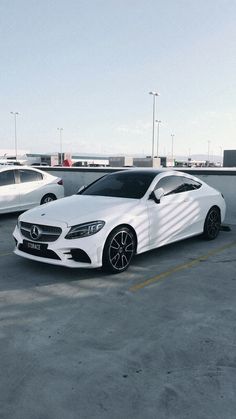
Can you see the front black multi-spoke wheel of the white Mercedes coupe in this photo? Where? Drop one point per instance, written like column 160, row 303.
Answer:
column 119, row 250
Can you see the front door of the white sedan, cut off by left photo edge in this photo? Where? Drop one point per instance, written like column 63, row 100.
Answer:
column 9, row 192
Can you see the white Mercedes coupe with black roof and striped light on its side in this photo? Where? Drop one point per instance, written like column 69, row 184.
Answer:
column 118, row 216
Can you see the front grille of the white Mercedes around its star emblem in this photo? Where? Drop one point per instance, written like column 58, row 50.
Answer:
column 47, row 233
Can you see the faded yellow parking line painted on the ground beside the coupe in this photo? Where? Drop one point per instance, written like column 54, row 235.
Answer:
column 181, row 267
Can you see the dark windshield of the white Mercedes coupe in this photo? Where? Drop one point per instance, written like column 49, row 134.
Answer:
column 130, row 184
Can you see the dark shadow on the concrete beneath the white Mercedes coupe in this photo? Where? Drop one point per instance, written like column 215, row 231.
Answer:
column 24, row 273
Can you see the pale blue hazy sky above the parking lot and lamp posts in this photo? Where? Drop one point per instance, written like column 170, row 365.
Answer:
column 87, row 66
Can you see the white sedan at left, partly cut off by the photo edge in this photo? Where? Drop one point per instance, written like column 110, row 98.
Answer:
column 22, row 187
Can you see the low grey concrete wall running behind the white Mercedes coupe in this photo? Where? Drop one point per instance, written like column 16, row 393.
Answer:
column 223, row 179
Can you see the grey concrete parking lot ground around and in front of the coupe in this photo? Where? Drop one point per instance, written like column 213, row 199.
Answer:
column 158, row 341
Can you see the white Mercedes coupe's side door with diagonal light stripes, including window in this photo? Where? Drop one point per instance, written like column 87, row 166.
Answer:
column 177, row 214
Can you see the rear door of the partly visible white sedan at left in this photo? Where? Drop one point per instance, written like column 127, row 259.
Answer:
column 30, row 184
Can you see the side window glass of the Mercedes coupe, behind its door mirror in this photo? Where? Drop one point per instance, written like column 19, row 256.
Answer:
column 177, row 184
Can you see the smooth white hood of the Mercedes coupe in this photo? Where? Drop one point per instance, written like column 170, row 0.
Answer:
column 78, row 209
